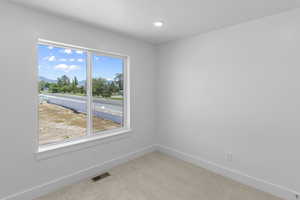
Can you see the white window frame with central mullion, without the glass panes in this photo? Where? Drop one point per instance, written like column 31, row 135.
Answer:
column 90, row 137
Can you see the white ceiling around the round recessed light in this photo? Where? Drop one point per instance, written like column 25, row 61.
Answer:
column 182, row 17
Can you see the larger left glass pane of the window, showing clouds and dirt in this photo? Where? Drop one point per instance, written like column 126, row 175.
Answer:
column 62, row 94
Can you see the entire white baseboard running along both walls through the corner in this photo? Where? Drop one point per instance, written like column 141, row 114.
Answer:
column 53, row 185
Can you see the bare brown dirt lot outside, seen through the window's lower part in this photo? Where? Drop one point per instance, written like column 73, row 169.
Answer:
column 57, row 123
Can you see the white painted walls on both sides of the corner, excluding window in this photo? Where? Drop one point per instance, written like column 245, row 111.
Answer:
column 232, row 90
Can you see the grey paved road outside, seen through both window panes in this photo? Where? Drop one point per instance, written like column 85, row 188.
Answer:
column 113, row 107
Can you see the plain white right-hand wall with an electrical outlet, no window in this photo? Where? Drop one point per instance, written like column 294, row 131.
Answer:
column 236, row 90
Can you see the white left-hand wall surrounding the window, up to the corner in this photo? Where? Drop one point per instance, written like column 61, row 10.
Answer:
column 20, row 28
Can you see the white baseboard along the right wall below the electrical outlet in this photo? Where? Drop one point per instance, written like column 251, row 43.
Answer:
column 257, row 183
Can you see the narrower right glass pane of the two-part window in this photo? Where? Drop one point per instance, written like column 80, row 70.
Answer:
column 107, row 91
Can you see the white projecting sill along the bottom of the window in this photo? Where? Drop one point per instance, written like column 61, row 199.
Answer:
column 47, row 151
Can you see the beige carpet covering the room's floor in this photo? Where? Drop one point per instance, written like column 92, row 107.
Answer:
column 156, row 176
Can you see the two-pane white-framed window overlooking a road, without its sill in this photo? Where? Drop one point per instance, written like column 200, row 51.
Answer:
column 82, row 93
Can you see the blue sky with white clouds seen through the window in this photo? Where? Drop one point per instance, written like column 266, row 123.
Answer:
column 53, row 62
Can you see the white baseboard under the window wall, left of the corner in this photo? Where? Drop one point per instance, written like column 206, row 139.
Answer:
column 53, row 185
